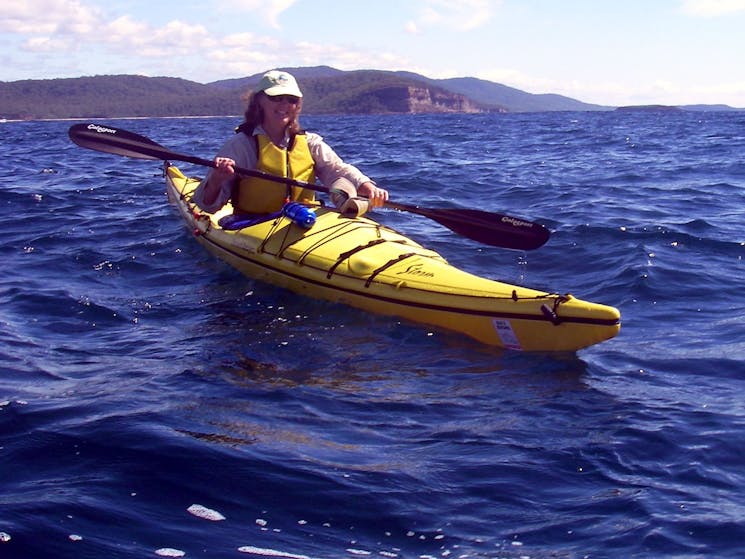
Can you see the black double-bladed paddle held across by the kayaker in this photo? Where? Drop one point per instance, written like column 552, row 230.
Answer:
column 485, row 227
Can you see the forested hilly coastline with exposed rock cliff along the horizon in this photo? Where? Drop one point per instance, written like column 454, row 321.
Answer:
column 326, row 91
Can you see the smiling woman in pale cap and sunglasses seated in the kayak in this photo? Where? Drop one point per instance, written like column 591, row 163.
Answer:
column 271, row 140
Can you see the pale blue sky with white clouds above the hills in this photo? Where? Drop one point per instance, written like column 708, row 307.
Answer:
column 608, row 52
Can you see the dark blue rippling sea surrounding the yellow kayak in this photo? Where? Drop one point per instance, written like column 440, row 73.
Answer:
column 156, row 403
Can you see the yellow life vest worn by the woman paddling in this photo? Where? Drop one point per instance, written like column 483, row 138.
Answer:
column 256, row 195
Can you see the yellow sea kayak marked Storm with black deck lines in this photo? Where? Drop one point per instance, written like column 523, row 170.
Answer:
column 361, row 263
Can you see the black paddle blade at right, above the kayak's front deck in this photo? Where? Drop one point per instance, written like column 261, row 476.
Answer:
column 489, row 228
